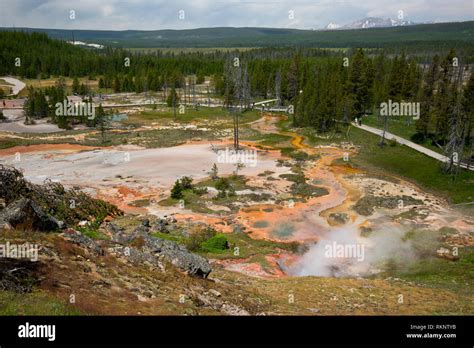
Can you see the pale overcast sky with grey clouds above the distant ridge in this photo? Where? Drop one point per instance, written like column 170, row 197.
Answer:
column 184, row 14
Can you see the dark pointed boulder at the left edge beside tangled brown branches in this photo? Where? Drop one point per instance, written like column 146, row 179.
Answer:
column 24, row 213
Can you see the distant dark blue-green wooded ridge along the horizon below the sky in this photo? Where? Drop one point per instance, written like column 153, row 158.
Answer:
column 264, row 37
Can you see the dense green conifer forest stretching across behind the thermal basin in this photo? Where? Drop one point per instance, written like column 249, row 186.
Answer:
column 325, row 88
